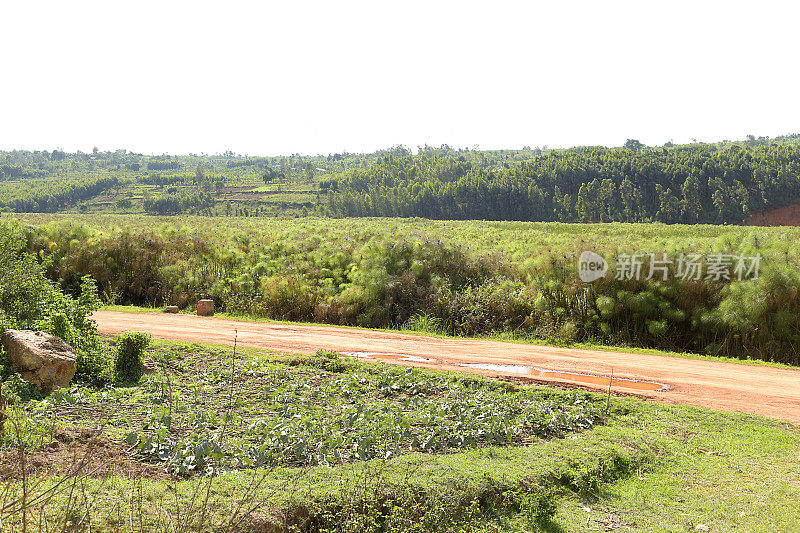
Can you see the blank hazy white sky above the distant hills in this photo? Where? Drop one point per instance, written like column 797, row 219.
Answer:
column 322, row 77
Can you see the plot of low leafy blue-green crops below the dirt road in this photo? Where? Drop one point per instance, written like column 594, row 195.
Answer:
column 340, row 413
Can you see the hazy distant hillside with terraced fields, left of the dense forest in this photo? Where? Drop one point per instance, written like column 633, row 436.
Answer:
column 220, row 185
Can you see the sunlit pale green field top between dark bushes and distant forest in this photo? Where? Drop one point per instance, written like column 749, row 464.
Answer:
column 519, row 242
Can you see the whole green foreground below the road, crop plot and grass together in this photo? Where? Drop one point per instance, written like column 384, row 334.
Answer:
column 646, row 466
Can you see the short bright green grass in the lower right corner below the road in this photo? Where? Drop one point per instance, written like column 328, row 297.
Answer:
column 727, row 473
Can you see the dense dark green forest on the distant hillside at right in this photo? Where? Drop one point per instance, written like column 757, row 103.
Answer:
column 692, row 185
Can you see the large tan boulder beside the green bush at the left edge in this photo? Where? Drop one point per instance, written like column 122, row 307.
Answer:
column 45, row 361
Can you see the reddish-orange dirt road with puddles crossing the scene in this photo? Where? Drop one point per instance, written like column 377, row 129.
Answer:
column 771, row 392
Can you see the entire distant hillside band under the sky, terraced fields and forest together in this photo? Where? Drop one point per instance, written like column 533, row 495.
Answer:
column 718, row 183
